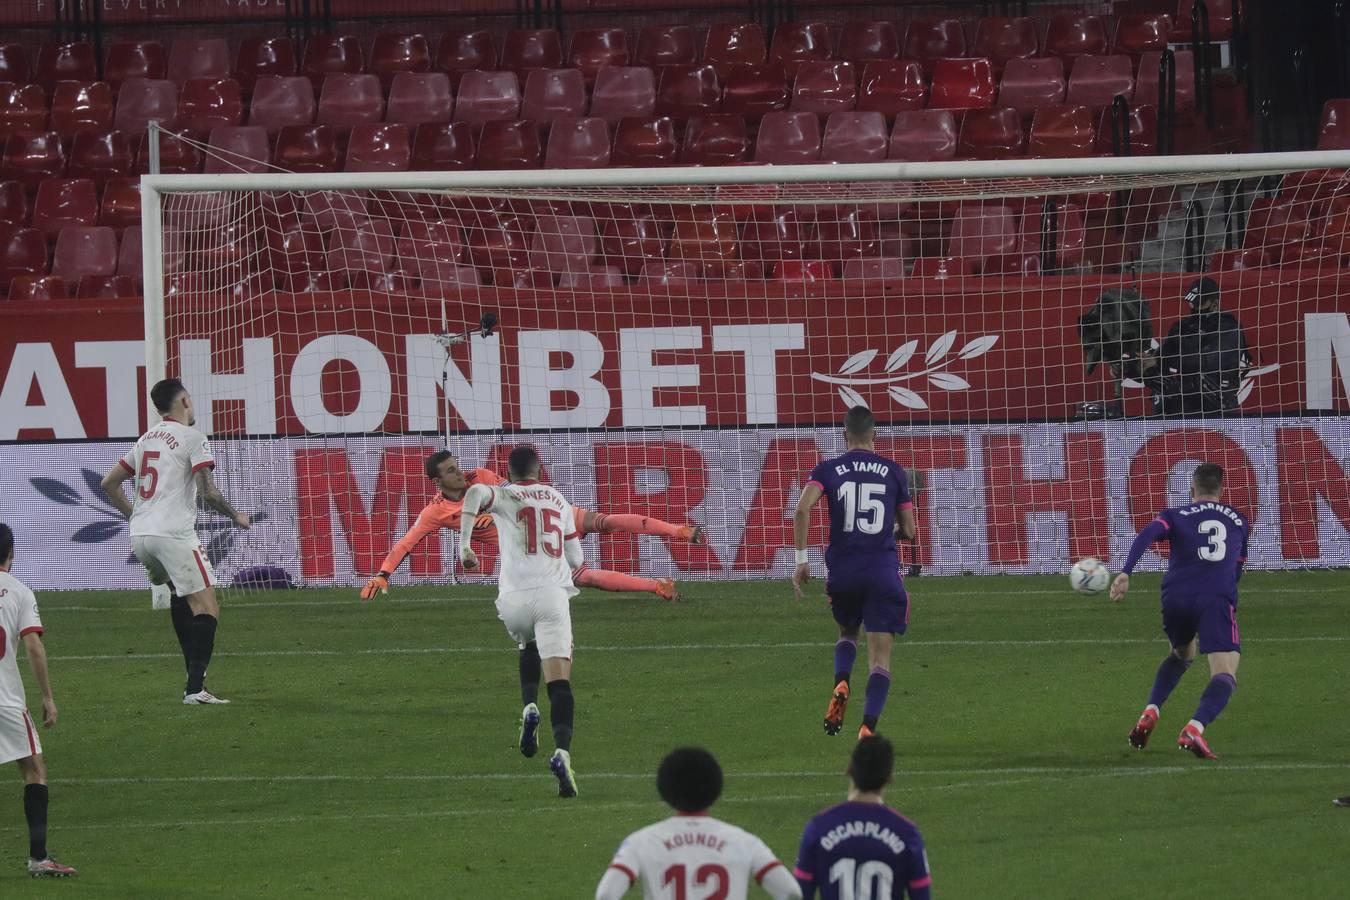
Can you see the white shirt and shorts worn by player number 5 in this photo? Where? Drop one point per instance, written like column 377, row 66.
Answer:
column 164, row 508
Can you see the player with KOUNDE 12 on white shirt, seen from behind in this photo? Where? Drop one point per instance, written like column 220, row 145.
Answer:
column 692, row 855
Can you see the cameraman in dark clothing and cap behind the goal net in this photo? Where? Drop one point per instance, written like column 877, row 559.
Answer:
column 1199, row 368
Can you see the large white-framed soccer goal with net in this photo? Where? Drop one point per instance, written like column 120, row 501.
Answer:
column 1032, row 335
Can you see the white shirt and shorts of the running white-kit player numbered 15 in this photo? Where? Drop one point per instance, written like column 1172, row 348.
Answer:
column 539, row 551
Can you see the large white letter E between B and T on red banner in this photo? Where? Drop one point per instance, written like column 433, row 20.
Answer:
column 641, row 376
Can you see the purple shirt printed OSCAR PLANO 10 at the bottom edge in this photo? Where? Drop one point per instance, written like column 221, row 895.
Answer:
column 863, row 851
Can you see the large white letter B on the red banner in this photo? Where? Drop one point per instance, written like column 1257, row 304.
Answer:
column 539, row 381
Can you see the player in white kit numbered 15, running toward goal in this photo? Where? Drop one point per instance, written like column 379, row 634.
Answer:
column 539, row 553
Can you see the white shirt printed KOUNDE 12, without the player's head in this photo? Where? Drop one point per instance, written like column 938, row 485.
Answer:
column 696, row 857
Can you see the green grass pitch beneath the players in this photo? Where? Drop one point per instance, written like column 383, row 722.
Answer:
column 371, row 747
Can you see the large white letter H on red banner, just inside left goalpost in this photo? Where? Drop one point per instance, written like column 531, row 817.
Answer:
column 256, row 385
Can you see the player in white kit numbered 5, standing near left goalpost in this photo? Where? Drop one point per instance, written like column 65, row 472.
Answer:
column 172, row 468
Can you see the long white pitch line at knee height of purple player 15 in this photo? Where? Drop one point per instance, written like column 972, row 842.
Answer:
column 630, row 648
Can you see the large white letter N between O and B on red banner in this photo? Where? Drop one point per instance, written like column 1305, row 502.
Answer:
column 479, row 400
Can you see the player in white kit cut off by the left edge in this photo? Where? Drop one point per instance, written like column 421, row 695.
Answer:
column 21, row 625
